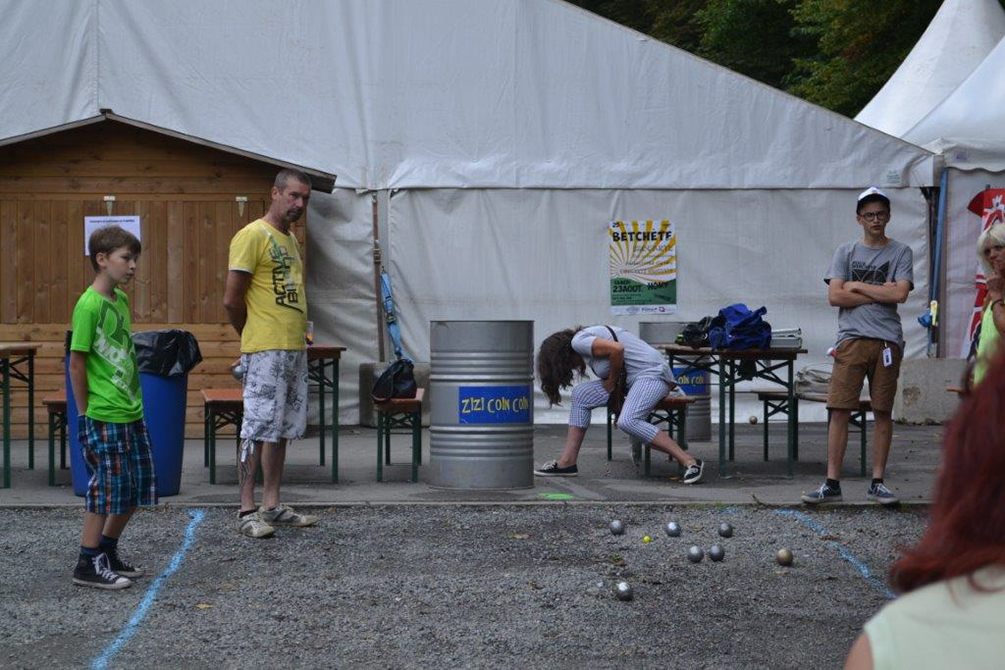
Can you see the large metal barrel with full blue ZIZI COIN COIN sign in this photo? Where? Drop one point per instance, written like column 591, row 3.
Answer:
column 482, row 405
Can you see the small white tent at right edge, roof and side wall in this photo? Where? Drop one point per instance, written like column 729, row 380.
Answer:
column 968, row 128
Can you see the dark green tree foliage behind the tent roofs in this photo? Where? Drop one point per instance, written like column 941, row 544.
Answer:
column 838, row 54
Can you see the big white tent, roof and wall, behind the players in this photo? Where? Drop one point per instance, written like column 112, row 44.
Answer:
column 499, row 137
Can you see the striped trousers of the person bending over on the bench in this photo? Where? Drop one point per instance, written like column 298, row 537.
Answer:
column 635, row 420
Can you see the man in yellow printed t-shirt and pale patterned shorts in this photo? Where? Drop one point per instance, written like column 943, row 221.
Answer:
column 267, row 305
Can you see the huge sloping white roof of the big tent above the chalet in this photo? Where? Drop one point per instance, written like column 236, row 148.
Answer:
column 488, row 94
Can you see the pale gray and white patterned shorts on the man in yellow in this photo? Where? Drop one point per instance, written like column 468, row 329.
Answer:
column 276, row 395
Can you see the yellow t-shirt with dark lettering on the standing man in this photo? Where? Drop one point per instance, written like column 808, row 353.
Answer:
column 277, row 304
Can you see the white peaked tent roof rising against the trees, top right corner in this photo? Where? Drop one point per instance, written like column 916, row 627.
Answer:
column 960, row 37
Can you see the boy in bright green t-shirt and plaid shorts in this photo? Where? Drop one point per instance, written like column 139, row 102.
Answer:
column 112, row 431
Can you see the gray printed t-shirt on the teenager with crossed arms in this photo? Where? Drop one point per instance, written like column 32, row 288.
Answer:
column 854, row 262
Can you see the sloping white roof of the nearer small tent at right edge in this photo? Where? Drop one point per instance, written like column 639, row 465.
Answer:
column 969, row 126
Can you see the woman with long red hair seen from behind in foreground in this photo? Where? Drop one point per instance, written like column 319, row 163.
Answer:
column 953, row 612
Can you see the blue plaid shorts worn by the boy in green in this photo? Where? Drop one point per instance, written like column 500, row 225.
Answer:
column 121, row 466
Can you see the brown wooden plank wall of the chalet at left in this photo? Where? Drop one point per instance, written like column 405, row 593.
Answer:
column 185, row 195
